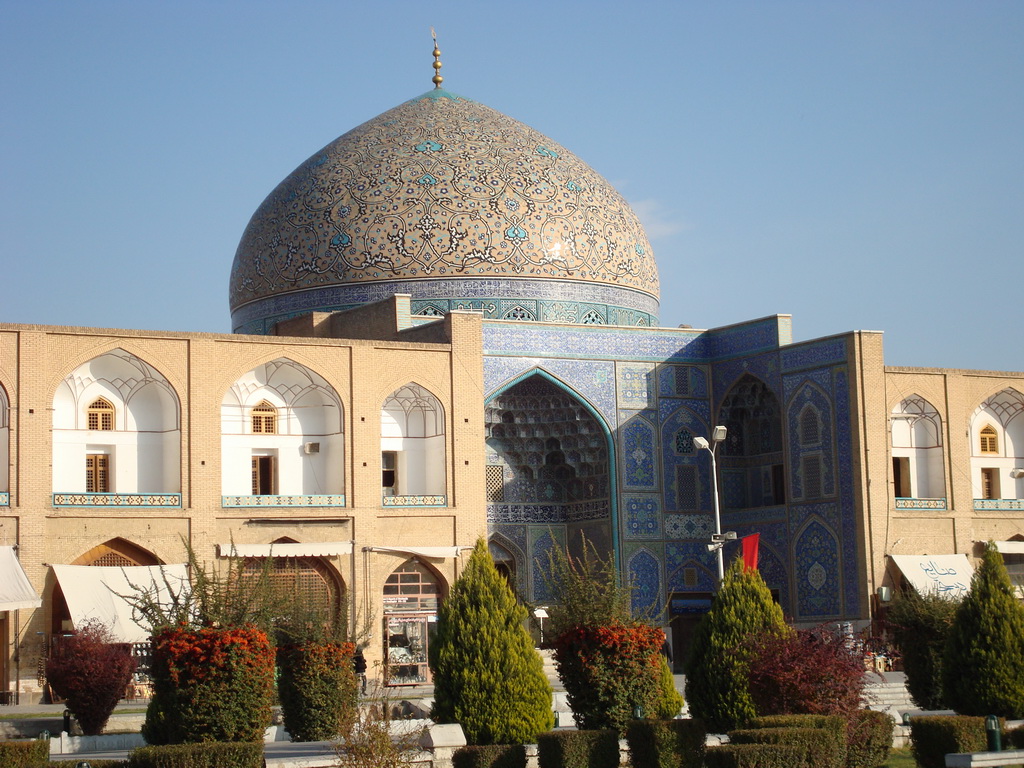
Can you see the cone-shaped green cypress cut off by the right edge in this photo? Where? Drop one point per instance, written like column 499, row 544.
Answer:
column 984, row 669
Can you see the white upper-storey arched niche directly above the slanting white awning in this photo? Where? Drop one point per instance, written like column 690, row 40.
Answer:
column 138, row 450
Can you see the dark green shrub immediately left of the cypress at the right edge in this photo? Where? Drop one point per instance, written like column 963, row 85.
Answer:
column 921, row 626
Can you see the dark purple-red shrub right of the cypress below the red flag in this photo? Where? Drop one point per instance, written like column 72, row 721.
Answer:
column 807, row 672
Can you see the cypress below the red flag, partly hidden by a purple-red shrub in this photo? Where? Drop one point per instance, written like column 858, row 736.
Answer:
column 717, row 664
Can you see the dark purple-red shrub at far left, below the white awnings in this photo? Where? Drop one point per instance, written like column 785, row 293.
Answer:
column 92, row 673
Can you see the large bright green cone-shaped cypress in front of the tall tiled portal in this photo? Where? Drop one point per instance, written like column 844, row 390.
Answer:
column 488, row 676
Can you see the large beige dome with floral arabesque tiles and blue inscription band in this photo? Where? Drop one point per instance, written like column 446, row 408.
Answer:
column 458, row 205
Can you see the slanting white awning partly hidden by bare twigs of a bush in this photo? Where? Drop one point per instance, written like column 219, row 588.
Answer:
column 94, row 593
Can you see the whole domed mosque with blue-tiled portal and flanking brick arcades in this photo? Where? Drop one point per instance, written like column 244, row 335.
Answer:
column 446, row 327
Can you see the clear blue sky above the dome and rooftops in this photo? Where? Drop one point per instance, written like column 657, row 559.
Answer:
column 860, row 165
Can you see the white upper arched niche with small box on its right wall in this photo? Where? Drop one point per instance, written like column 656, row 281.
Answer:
column 282, row 436
